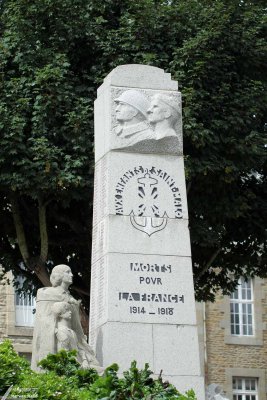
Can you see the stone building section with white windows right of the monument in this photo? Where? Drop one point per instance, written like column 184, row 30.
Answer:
column 235, row 331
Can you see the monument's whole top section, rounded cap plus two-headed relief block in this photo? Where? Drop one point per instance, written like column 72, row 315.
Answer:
column 143, row 118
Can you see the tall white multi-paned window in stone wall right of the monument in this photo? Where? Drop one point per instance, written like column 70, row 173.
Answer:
column 241, row 309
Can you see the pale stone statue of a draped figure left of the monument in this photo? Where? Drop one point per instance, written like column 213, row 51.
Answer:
column 57, row 323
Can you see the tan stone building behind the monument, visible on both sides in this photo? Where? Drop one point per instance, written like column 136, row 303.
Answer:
column 232, row 335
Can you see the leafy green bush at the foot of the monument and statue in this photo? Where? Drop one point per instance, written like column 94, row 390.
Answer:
column 63, row 379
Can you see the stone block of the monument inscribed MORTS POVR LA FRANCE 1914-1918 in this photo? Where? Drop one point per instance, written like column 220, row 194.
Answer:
column 142, row 288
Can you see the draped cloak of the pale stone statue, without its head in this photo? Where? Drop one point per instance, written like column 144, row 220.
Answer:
column 44, row 336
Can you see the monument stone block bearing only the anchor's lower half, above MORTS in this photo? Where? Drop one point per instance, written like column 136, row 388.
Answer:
column 115, row 233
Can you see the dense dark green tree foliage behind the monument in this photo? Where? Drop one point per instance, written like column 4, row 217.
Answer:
column 53, row 56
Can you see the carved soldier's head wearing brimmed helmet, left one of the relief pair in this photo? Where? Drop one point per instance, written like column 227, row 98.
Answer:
column 131, row 113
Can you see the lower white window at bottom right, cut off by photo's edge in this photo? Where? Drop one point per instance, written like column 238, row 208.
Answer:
column 245, row 388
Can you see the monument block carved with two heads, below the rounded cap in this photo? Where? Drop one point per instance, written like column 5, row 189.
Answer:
column 140, row 121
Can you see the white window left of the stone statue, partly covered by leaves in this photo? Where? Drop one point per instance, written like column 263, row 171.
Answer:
column 24, row 307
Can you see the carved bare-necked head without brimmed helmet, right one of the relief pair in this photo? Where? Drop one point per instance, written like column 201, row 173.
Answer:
column 163, row 113
